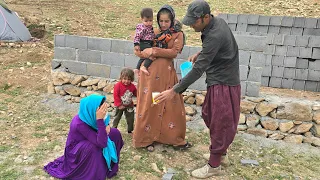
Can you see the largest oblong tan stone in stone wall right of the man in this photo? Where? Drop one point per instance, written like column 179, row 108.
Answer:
column 295, row 111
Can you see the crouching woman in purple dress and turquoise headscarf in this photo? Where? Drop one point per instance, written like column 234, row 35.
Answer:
column 93, row 148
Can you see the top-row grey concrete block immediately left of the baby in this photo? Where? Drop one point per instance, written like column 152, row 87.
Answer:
column 121, row 46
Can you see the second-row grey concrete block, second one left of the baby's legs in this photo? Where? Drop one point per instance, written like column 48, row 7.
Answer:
column 113, row 59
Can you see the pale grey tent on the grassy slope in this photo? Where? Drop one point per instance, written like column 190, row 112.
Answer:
column 11, row 27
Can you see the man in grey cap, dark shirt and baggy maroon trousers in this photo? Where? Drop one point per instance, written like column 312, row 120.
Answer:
column 219, row 58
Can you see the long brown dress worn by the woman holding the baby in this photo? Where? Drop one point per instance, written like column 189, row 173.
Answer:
column 166, row 122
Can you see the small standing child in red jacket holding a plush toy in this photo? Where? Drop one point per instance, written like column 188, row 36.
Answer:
column 123, row 92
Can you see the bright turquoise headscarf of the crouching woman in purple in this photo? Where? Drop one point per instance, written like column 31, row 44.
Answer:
column 87, row 113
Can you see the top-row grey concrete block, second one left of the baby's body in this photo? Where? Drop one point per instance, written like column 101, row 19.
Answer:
column 100, row 44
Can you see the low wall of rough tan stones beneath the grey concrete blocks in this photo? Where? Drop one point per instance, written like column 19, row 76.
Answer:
column 294, row 121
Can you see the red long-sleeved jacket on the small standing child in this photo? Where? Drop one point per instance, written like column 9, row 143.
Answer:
column 123, row 94
